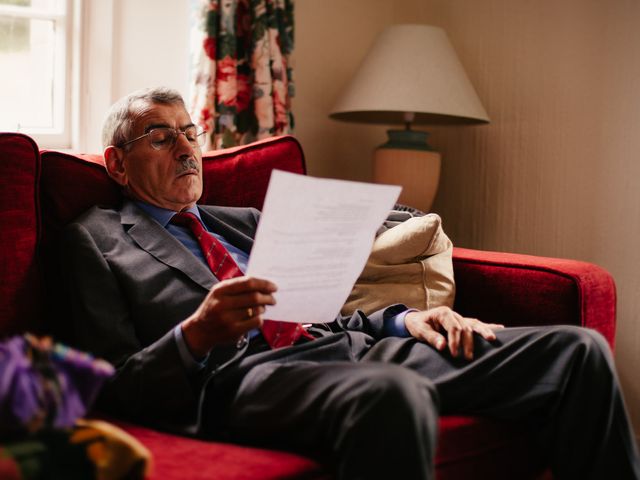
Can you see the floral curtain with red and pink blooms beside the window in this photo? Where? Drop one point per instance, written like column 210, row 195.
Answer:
column 241, row 71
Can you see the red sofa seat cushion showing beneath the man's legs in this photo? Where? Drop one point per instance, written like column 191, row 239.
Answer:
column 466, row 445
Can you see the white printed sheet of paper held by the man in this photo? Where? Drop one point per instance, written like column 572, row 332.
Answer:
column 313, row 240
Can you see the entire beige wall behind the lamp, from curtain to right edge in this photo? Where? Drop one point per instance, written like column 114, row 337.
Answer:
column 556, row 172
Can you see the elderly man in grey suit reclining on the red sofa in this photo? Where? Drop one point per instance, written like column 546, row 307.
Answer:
column 157, row 289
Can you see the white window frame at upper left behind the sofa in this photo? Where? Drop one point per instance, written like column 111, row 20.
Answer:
column 67, row 36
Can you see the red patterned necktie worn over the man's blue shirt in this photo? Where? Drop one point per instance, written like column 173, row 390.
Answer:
column 277, row 334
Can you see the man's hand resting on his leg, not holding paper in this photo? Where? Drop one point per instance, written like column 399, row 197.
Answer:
column 431, row 326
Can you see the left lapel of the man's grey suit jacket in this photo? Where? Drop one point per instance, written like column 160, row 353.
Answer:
column 153, row 238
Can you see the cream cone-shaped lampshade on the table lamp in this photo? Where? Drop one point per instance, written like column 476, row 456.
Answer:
column 412, row 69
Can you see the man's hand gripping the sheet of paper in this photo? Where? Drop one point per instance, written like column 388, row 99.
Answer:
column 230, row 309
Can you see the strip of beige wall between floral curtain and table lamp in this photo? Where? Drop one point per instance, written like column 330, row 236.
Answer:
column 331, row 38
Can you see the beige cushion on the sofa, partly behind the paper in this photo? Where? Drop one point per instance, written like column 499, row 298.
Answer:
column 410, row 263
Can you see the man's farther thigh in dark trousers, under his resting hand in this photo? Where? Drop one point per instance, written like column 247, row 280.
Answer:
column 519, row 372
